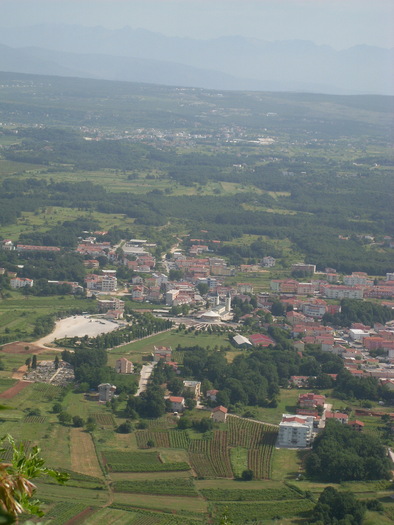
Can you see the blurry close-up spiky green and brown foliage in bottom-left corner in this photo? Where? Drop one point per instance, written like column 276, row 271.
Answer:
column 16, row 488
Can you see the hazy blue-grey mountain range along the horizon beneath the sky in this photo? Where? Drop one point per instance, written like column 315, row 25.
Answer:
column 231, row 63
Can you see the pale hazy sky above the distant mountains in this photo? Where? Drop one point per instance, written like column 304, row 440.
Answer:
column 339, row 23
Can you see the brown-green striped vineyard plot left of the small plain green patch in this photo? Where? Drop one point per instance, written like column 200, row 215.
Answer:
column 213, row 451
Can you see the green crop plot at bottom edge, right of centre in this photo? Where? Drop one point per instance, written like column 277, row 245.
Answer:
column 241, row 513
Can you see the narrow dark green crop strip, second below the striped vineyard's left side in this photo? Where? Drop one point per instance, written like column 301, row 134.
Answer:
column 170, row 487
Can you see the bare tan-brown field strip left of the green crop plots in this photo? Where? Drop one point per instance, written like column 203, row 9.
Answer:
column 83, row 454
